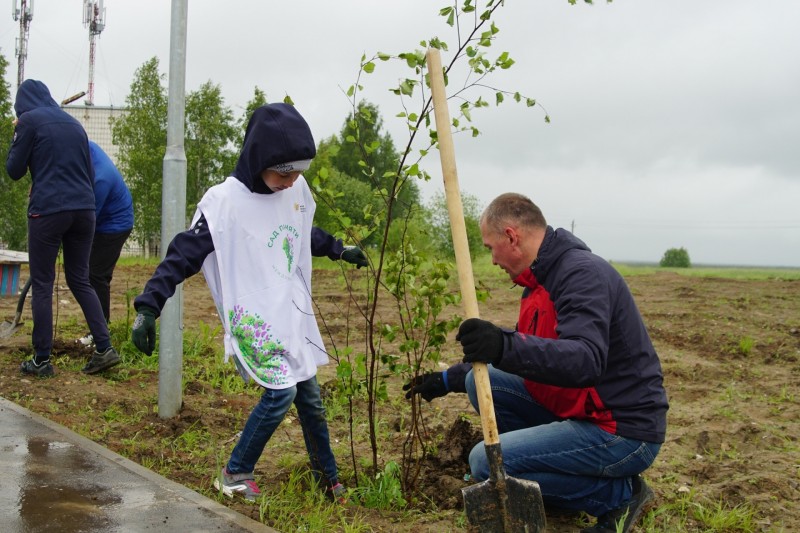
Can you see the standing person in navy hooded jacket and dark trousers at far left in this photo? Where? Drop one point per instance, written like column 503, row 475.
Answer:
column 54, row 147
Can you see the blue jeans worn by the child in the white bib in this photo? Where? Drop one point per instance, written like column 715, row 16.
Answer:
column 267, row 416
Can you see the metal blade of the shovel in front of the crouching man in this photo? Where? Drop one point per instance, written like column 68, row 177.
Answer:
column 522, row 510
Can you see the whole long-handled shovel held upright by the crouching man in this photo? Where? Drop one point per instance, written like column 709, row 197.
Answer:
column 501, row 503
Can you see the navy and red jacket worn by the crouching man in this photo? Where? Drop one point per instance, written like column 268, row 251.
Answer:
column 581, row 344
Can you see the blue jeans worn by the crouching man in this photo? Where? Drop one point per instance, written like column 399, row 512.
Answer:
column 578, row 465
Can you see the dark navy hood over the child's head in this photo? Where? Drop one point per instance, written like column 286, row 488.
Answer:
column 275, row 134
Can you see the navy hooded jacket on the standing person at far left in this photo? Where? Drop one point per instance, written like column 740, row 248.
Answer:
column 54, row 147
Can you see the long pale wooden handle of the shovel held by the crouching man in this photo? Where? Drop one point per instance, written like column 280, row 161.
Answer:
column 460, row 244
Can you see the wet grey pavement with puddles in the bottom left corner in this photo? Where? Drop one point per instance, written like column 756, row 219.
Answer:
column 54, row 480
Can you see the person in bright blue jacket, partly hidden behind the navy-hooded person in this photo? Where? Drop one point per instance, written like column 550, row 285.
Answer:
column 113, row 225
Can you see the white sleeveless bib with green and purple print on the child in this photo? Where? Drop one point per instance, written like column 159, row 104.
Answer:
column 260, row 277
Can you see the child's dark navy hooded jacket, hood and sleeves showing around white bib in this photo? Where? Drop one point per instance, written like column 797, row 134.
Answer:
column 276, row 133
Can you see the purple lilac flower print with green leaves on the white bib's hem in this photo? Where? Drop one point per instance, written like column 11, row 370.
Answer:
column 265, row 355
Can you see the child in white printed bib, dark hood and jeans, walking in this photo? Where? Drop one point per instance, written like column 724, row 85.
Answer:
column 253, row 238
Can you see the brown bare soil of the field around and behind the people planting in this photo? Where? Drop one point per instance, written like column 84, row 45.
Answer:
column 730, row 352
